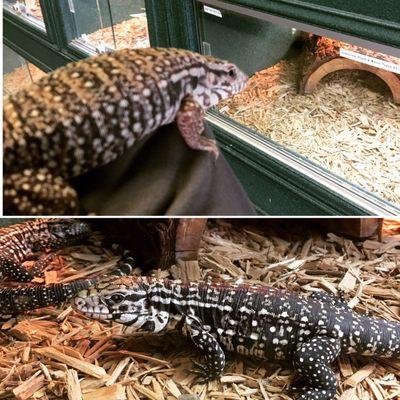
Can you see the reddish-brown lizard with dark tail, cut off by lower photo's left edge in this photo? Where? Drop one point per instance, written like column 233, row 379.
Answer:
column 19, row 241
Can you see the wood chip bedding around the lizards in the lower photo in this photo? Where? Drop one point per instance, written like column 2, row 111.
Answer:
column 56, row 353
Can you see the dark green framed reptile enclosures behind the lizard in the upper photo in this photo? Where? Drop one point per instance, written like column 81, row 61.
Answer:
column 333, row 151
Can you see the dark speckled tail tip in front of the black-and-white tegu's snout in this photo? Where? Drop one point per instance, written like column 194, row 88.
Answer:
column 14, row 300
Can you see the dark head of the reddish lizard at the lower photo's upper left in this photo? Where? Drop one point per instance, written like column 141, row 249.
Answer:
column 62, row 232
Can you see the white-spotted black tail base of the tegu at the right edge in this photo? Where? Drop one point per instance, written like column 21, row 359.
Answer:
column 377, row 337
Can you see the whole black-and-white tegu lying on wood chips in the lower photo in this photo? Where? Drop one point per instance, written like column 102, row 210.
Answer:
column 258, row 321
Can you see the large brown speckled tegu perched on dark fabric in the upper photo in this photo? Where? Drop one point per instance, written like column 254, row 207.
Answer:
column 86, row 114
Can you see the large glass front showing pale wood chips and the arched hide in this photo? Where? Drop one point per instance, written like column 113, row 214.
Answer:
column 334, row 103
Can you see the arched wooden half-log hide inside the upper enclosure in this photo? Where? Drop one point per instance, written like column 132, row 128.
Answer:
column 322, row 57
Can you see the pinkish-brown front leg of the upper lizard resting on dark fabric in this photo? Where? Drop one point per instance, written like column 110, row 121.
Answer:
column 190, row 121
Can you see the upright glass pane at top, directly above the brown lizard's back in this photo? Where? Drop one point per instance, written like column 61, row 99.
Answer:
column 108, row 25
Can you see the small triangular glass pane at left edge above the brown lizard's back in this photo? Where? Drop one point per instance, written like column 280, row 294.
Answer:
column 17, row 72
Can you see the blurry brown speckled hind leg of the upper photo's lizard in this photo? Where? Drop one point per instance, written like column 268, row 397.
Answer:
column 38, row 192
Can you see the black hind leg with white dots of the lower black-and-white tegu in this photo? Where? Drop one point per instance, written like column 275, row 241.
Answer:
column 312, row 360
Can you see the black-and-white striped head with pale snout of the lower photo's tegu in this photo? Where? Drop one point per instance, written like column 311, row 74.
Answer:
column 125, row 300
